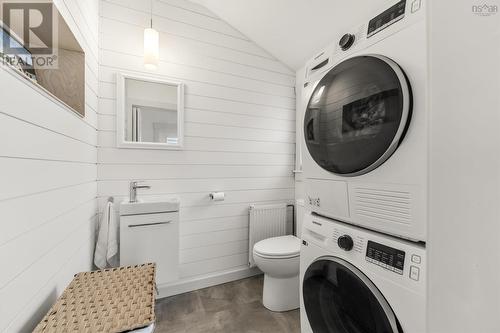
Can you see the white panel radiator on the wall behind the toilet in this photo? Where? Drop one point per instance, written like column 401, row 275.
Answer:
column 266, row 221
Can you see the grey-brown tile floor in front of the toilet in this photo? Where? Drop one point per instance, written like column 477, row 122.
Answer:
column 233, row 307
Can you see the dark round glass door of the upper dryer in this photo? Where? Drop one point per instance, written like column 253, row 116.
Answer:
column 358, row 115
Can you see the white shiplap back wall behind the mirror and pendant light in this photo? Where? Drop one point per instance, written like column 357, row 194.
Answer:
column 240, row 127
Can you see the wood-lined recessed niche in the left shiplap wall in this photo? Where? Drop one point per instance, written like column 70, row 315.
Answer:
column 60, row 71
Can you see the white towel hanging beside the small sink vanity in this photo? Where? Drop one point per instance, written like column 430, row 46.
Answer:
column 106, row 250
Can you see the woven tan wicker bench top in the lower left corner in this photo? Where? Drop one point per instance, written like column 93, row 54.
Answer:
column 111, row 300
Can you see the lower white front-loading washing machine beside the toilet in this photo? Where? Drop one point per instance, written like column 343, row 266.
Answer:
column 356, row 280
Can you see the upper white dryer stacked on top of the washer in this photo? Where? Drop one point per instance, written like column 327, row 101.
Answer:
column 365, row 124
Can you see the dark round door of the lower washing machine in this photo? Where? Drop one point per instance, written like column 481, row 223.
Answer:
column 339, row 298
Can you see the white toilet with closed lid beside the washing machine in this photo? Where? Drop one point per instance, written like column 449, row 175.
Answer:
column 279, row 259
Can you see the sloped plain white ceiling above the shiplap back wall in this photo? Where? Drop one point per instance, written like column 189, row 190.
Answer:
column 293, row 30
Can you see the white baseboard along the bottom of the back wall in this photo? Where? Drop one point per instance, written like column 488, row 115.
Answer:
column 200, row 282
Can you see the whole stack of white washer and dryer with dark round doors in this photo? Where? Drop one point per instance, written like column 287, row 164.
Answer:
column 363, row 255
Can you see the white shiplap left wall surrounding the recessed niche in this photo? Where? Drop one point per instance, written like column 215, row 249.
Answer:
column 48, row 191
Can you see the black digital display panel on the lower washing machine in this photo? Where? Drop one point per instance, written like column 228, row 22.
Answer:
column 386, row 257
